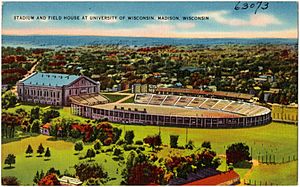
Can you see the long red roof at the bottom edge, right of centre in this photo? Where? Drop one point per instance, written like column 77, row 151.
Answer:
column 215, row 180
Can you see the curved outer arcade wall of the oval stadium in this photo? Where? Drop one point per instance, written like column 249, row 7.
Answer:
column 144, row 118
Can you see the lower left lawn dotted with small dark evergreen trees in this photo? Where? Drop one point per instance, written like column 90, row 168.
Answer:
column 62, row 158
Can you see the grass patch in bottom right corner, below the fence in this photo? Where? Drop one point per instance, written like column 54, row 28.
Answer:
column 277, row 174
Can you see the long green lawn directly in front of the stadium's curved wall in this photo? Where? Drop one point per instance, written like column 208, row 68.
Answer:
column 275, row 138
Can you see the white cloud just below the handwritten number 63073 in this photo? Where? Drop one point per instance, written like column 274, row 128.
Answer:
column 260, row 20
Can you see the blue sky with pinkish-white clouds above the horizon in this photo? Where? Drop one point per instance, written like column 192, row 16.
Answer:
column 279, row 20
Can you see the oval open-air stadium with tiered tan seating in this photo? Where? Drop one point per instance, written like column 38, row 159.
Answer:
column 173, row 110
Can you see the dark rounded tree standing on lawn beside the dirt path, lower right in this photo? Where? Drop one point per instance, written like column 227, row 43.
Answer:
column 237, row 152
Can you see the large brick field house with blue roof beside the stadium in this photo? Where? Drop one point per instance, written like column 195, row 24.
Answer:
column 54, row 88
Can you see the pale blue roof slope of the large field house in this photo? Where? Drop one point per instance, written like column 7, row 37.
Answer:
column 50, row 79
